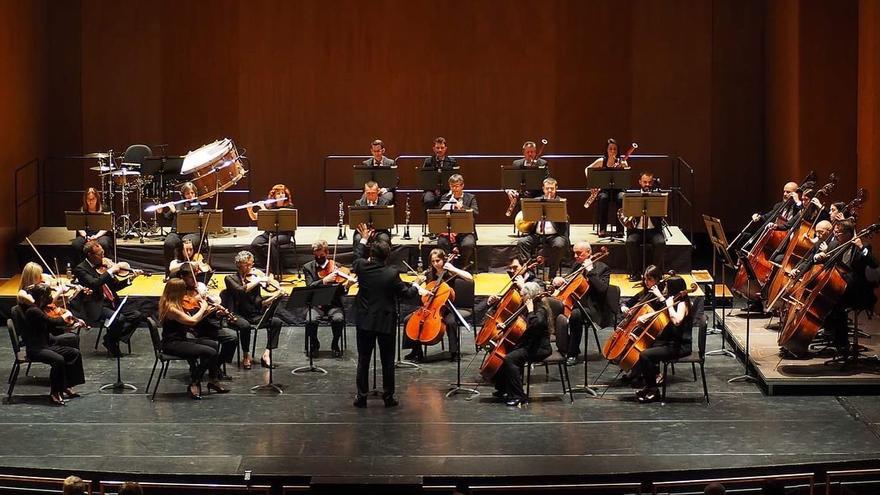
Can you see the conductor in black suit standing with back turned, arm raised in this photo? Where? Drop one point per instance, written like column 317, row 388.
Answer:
column 376, row 314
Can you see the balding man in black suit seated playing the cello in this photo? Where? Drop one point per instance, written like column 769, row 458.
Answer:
column 594, row 302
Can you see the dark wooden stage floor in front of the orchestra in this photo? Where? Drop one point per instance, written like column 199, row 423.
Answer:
column 313, row 432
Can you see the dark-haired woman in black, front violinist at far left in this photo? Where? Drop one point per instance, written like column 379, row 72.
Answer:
column 39, row 328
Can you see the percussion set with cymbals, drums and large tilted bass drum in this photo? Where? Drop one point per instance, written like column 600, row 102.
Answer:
column 212, row 168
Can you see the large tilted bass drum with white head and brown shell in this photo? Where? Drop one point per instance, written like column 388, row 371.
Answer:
column 215, row 167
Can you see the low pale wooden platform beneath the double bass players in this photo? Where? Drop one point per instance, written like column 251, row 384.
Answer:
column 780, row 376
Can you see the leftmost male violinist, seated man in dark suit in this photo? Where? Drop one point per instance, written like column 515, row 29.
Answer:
column 99, row 274
